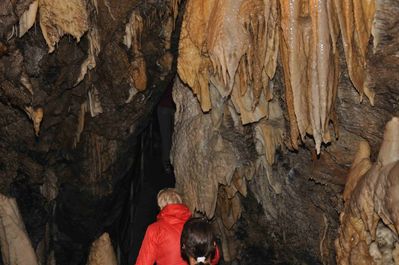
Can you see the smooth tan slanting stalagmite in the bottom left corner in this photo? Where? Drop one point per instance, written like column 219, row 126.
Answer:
column 16, row 248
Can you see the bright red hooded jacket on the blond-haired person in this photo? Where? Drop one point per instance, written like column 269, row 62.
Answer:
column 161, row 242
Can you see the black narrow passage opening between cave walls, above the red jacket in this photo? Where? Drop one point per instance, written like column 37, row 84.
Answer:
column 148, row 177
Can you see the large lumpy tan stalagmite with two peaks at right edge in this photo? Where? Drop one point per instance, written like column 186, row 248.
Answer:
column 370, row 220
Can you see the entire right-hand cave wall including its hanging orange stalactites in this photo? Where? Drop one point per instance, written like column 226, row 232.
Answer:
column 310, row 106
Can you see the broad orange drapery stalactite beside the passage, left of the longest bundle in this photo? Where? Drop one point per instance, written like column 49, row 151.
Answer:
column 236, row 51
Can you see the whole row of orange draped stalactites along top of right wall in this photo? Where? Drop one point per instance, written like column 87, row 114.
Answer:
column 234, row 45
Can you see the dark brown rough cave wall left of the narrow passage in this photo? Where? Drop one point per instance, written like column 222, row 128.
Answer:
column 76, row 90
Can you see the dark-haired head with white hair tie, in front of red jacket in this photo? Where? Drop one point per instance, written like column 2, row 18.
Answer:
column 197, row 242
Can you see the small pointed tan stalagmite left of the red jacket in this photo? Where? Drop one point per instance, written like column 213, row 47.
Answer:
column 102, row 252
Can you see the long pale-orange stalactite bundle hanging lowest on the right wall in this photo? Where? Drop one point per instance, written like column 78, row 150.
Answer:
column 310, row 62
